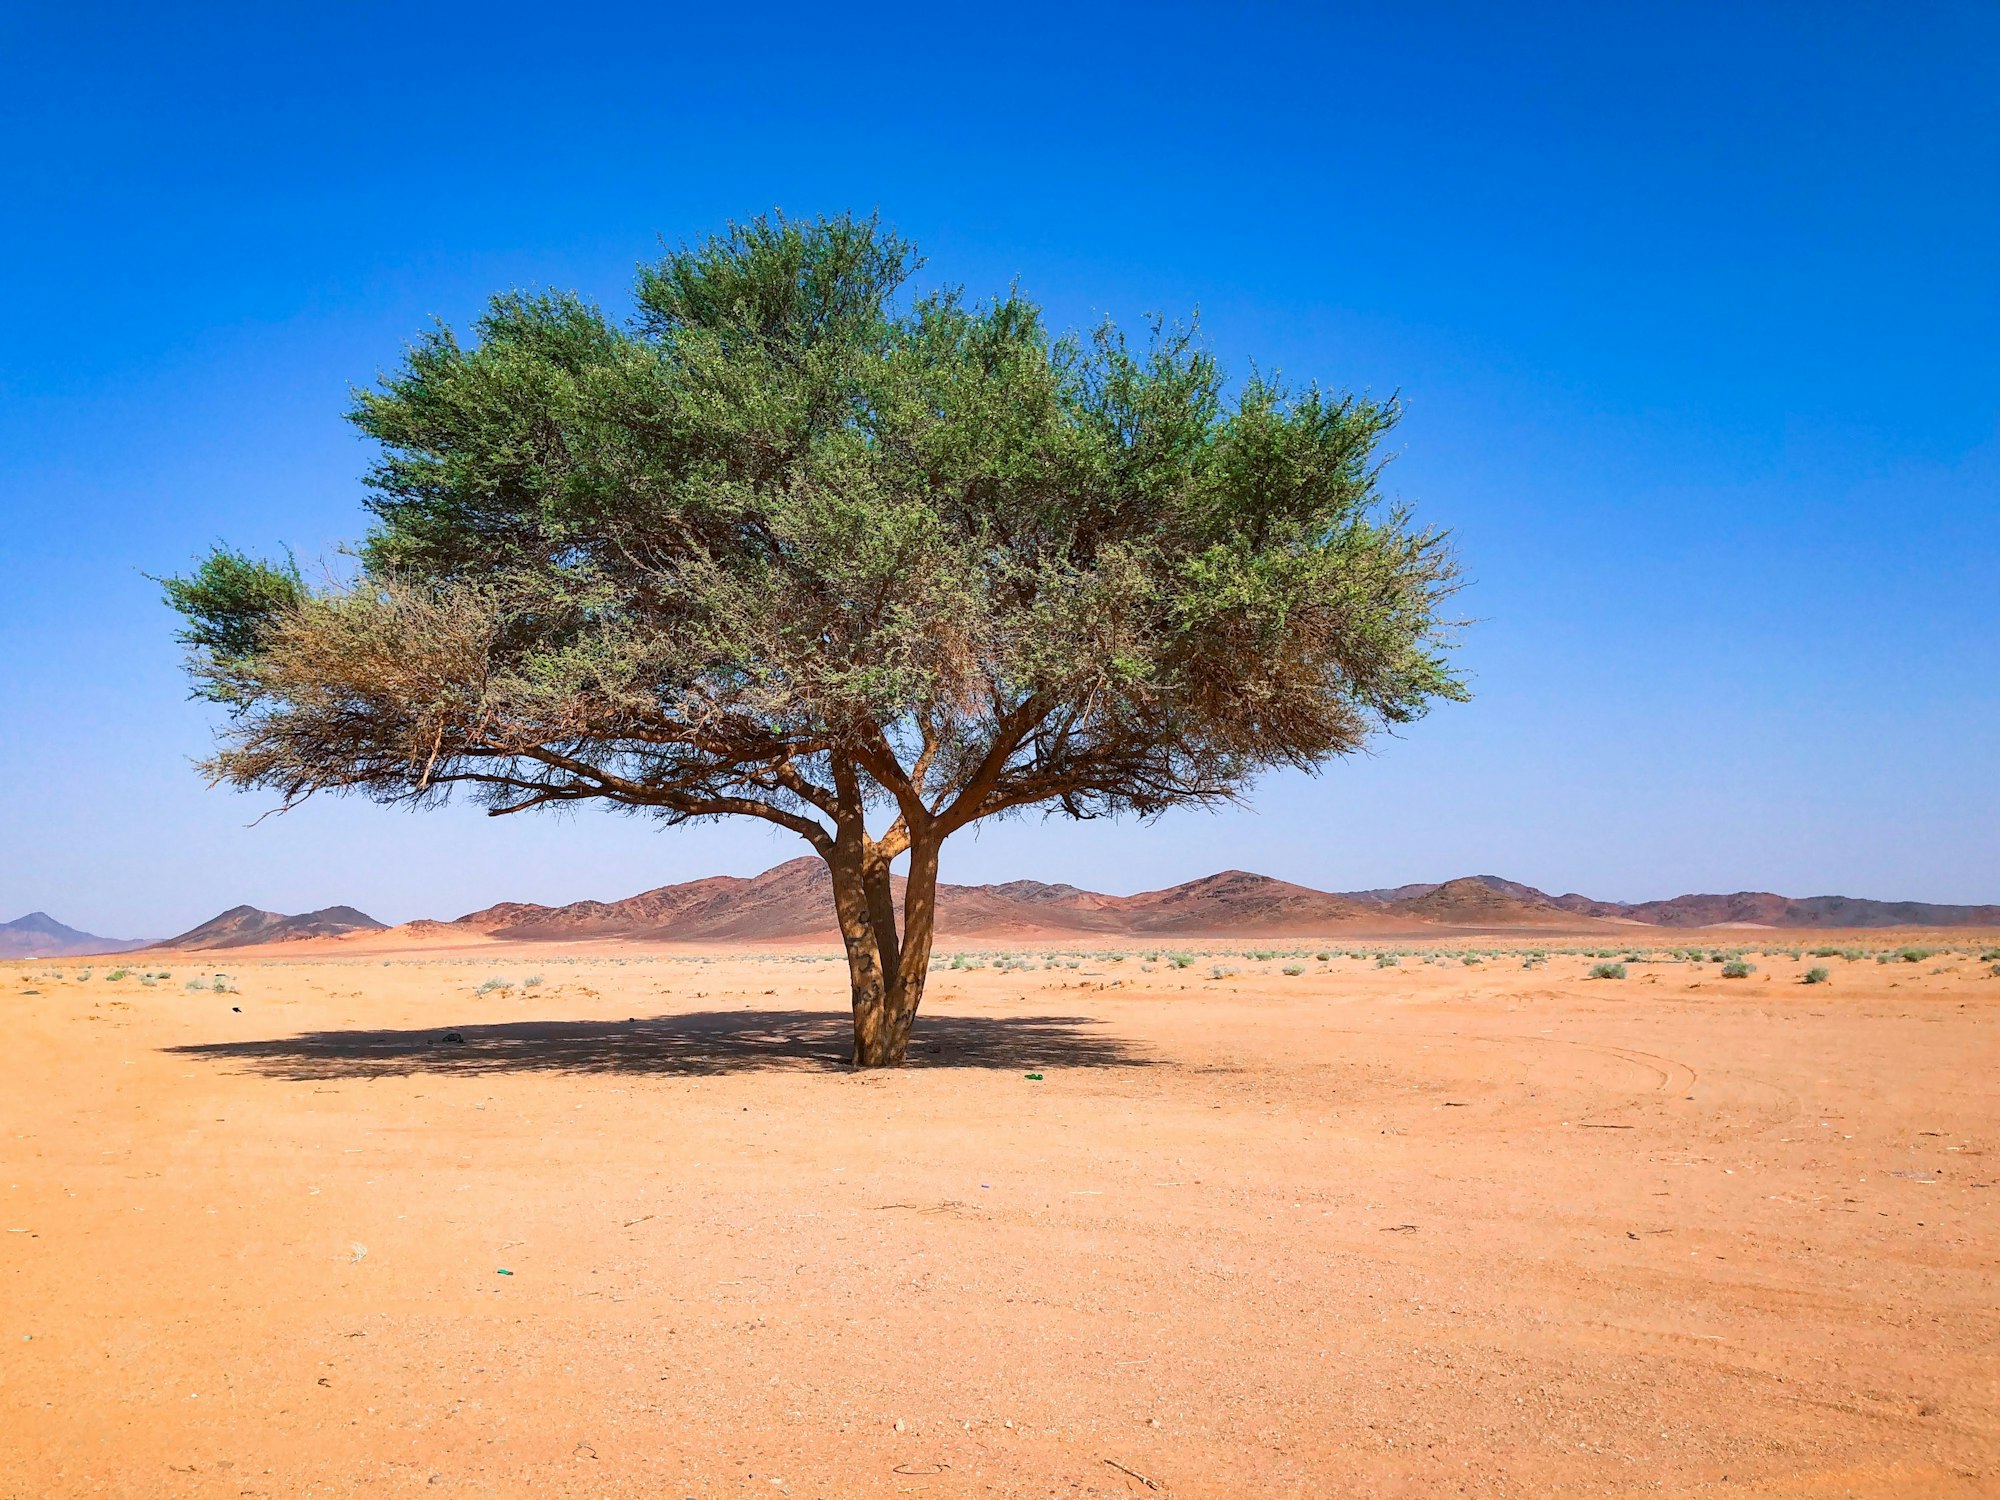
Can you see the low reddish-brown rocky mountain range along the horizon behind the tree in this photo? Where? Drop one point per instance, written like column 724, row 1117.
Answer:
column 795, row 903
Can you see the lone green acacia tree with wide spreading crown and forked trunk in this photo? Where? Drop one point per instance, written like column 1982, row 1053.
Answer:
column 801, row 547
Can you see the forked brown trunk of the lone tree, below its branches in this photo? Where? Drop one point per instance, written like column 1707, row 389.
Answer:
column 885, row 969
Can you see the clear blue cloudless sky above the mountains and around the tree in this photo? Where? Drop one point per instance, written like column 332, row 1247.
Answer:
column 1695, row 311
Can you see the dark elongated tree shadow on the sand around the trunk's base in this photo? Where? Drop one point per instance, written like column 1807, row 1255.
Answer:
column 689, row 1045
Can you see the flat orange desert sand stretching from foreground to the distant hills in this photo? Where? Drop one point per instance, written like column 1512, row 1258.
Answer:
column 1419, row 1231
